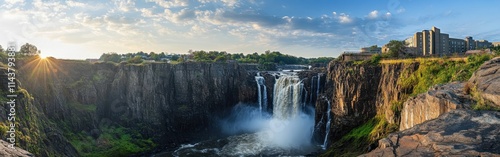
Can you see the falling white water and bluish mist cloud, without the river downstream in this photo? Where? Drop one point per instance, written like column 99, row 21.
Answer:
column 290, row 126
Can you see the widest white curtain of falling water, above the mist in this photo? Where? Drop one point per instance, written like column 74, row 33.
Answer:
column 287, row 98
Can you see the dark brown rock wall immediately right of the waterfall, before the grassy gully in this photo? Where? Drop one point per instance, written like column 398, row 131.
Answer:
column 350, row 89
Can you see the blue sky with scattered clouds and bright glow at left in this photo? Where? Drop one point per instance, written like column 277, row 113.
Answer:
column 78, row 29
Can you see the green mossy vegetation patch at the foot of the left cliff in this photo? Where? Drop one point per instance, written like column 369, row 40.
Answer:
column 113, row 141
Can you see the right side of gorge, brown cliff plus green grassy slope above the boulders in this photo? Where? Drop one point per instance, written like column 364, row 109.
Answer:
column 369, row 101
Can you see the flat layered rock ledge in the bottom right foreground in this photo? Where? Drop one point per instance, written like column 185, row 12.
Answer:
column 459, row 132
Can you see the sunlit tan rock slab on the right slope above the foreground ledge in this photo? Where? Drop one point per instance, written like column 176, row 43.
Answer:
column 438, row 100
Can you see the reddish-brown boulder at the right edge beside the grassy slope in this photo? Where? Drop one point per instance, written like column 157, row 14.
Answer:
column 486, row 80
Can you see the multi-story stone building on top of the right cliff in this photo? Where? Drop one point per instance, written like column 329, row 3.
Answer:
column 433, row 42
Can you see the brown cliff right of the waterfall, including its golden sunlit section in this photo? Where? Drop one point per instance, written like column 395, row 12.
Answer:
column 359, row 92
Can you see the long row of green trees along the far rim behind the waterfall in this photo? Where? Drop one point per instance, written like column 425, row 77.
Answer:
column 266, row 58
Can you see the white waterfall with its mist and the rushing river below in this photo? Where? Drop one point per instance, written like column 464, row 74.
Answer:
column 287, row 132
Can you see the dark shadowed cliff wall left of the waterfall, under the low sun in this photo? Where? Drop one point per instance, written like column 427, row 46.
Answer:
column 168, row 103
